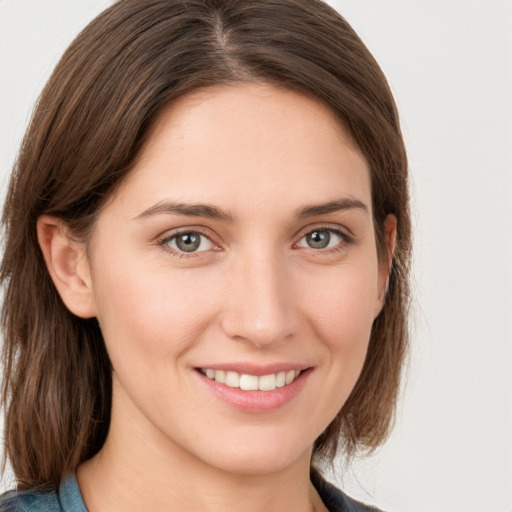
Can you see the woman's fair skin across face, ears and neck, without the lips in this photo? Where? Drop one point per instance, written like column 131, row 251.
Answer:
column 254, row 292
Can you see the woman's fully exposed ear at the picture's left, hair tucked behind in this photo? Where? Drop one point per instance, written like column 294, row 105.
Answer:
column 67, row 263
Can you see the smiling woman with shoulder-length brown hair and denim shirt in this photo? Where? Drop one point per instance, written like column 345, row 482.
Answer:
column 207, row 249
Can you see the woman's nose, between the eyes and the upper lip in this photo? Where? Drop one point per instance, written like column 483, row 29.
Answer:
column 260, row 306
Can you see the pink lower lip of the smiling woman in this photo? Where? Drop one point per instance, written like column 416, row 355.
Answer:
column 256, row 401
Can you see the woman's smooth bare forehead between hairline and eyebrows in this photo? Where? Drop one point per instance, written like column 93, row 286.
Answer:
column 254, row 146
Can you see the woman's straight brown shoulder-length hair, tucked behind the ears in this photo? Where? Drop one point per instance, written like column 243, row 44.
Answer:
column 90, row 123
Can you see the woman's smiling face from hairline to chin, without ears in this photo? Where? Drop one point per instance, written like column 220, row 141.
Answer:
column 239, row 253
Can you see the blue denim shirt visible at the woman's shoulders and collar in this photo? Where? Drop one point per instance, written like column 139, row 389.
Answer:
column 69, row 499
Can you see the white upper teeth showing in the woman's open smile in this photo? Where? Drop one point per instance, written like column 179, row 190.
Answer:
column 248, row 382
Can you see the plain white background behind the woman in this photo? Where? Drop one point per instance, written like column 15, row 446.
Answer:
column 449, row 63
